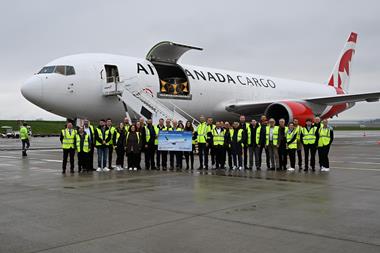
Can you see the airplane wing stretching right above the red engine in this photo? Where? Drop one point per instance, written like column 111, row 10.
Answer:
column 256, row 108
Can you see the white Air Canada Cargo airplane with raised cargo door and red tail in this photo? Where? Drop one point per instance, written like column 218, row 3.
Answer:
column 96, row 86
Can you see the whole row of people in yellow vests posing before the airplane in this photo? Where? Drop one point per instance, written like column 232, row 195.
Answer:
column 233, row 146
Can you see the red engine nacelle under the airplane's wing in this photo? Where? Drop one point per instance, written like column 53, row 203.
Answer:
column 289, row 111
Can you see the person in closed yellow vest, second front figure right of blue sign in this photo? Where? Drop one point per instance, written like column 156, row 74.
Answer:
column 219, row 144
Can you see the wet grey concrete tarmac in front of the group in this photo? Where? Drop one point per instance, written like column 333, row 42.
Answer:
column 42, row 210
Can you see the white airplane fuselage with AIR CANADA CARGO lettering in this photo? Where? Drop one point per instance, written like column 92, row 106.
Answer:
column 81, row 95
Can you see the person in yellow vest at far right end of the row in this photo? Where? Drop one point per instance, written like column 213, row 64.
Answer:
column 326, row 137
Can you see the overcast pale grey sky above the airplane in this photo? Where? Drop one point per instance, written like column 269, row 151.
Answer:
column 290, row 39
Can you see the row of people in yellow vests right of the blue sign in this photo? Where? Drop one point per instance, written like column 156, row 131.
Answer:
column 242, row 143
